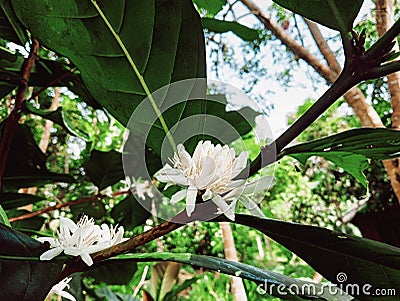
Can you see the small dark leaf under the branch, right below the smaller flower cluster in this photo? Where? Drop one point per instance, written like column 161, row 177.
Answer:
column 118, row 272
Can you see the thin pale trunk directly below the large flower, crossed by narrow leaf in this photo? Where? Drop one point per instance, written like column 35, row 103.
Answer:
column 238, row 291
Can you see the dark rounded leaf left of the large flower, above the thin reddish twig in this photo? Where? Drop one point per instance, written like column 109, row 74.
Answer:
column 104, row 168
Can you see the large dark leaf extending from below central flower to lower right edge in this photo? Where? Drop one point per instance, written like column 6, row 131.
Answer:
column 334, row 255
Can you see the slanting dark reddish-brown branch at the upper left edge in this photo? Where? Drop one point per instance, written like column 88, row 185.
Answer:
column 10, row 123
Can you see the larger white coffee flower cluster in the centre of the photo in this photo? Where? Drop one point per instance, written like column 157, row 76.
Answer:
column 212, row 170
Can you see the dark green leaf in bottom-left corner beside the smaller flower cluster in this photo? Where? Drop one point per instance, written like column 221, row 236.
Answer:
column 21, row 279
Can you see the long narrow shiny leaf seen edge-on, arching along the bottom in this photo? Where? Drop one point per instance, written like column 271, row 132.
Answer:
column 244, row 271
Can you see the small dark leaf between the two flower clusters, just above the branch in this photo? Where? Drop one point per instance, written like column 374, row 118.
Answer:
column 129, row 213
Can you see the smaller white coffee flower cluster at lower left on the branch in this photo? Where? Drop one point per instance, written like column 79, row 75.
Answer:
column 81, row 239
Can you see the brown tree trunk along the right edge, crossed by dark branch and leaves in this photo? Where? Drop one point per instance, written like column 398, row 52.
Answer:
column 384, row 20
